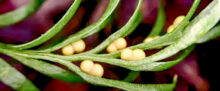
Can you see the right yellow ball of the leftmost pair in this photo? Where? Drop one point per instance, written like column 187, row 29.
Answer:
column 79, row 46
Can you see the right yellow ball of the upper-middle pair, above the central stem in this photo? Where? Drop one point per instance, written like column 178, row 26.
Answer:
column 120, row 43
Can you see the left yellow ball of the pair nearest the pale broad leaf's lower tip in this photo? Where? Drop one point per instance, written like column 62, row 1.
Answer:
column 126, row 54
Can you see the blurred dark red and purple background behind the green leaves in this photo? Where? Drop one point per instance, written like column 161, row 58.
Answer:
column 198, row 72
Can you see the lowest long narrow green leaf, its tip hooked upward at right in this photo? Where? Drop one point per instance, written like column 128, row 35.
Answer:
column 99, row 81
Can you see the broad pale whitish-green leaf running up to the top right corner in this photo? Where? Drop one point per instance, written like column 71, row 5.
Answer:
column 196, row 29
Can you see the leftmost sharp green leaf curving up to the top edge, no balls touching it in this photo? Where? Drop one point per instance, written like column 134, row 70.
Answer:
column 52, row 31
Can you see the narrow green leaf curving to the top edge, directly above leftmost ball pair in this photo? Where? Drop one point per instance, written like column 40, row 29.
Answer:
column 91, row 29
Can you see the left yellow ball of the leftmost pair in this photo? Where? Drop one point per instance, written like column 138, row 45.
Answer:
column 68, row 50
